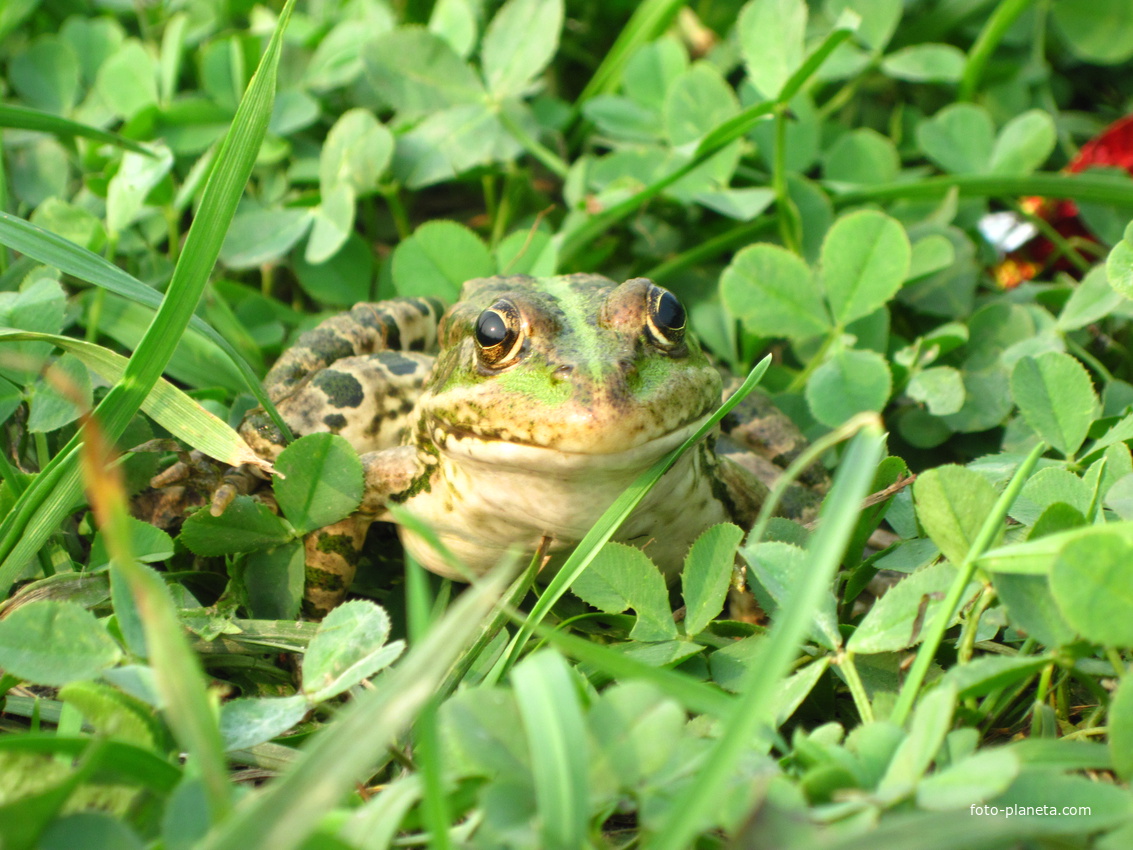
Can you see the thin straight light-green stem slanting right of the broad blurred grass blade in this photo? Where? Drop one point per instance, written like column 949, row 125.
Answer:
column 935, row 633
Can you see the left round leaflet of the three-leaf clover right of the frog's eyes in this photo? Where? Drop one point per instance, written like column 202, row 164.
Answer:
column 774, row 294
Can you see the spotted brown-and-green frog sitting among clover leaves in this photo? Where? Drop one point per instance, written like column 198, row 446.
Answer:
column 513, row 420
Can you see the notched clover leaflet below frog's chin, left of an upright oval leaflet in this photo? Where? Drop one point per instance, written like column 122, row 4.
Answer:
column 623, row 577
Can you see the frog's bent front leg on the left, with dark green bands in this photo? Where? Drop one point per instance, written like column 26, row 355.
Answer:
column 333, row 552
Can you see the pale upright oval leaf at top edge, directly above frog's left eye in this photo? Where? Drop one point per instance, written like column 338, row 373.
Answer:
column 519, row 44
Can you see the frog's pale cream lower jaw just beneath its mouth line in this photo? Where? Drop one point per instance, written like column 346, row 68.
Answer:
column 464, row 447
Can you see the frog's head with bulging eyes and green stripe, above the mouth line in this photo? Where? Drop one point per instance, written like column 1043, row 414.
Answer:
column 577, row 364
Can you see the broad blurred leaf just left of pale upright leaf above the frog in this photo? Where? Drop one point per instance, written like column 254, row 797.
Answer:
column 420, row 74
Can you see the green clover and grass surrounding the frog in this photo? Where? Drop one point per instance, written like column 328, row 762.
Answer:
column 189, row 184
